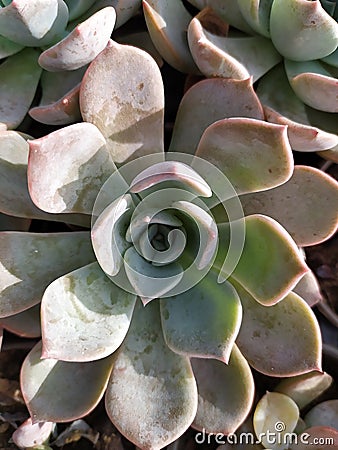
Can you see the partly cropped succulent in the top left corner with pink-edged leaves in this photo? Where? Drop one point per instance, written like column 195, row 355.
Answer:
column 51, row 42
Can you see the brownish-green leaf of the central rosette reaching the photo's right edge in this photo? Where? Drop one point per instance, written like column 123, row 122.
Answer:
column 303, row 205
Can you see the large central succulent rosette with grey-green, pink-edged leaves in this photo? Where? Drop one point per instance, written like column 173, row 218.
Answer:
column 190, row 272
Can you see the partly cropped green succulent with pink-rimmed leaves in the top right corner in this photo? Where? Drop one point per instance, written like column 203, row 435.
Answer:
column 288, row 47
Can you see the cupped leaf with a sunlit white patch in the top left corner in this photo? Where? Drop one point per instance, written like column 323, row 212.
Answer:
column 34, row 23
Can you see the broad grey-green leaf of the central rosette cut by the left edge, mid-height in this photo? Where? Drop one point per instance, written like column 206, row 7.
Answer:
column 30, row 261
